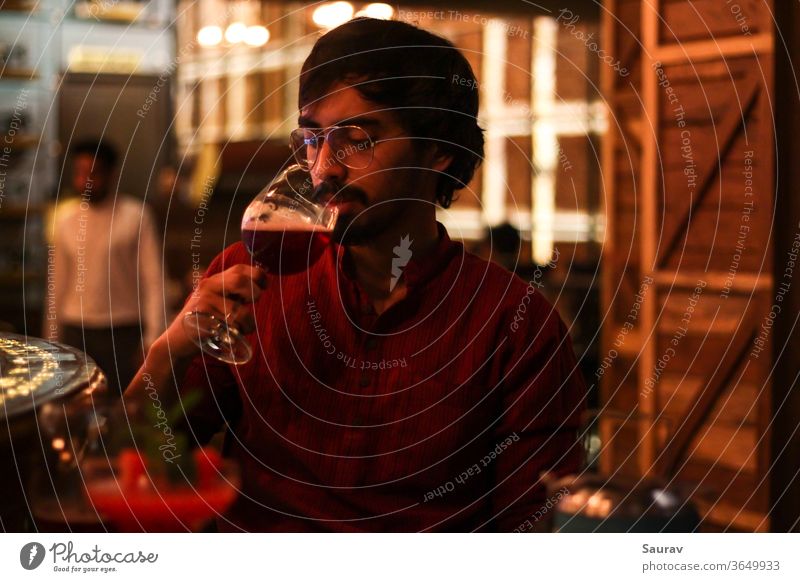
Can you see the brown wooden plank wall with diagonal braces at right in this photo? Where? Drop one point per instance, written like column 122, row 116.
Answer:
column 691, row 287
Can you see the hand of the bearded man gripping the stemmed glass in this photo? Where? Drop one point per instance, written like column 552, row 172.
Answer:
column 227, row 296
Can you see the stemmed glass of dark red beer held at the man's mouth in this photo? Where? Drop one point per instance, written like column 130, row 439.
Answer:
column 285, row 232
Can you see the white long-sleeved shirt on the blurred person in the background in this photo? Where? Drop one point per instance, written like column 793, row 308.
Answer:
column 108, row 269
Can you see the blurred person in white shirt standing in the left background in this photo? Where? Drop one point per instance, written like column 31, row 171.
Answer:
column 108, row 275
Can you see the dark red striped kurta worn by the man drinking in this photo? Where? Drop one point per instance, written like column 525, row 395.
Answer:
column 437, row 415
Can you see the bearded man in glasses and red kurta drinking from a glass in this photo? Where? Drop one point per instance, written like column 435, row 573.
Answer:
column 400, row 384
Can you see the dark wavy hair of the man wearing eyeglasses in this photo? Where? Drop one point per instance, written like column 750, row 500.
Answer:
column 420, row 76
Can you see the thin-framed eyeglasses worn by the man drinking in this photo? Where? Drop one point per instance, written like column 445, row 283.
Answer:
column 350, row 145
